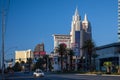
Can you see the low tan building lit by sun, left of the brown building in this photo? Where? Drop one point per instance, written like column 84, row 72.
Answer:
column 23, row 55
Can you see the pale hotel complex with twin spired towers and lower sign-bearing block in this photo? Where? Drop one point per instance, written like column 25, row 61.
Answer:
column 80, row 32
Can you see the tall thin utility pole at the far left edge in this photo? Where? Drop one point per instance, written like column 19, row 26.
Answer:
column 3, row 31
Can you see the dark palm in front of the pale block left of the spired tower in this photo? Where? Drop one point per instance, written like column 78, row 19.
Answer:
column 62, row 50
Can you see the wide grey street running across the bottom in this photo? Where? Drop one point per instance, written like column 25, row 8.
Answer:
column 49, row 76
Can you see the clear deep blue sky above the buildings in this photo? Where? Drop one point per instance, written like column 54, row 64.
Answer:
column 31, row 22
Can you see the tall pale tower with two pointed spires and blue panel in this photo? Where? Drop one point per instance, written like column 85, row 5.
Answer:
column 80, row 32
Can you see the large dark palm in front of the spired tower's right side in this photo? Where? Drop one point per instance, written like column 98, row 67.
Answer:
column 89, row 46
